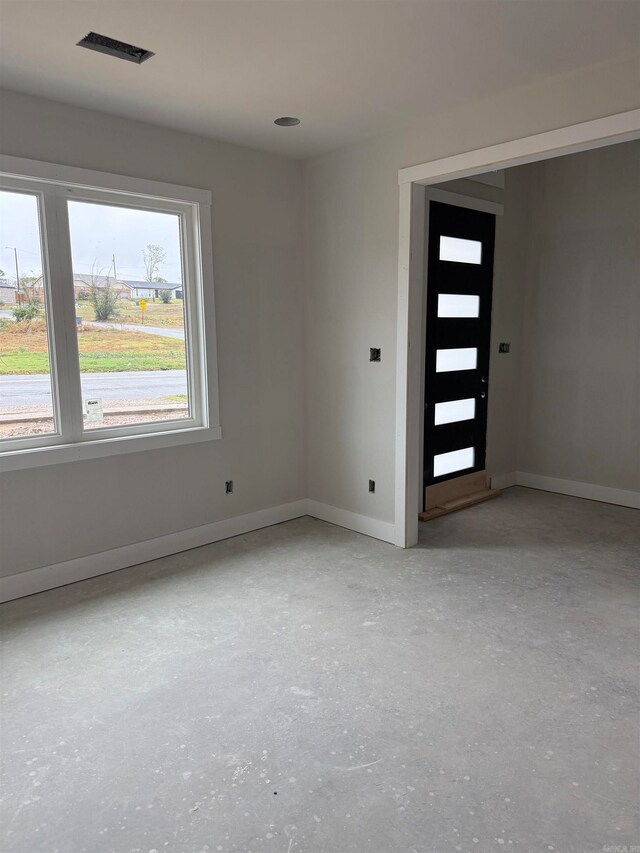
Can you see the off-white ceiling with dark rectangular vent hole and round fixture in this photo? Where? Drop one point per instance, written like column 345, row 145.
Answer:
column 348, row 68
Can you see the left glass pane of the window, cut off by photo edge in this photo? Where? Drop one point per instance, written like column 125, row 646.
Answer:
column 26, row 398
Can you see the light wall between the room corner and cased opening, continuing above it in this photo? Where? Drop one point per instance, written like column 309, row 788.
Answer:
column 351, row 261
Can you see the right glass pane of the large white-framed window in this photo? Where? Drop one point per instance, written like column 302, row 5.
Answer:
column 127, row 270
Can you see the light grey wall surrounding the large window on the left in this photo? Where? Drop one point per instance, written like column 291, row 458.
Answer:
column 65, row 511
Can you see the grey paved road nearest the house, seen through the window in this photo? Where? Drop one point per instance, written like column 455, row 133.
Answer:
column 132, row 385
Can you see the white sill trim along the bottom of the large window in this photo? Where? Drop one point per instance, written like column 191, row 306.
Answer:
column 54, row 454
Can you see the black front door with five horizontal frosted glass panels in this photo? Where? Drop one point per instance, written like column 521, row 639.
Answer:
column 459, row 284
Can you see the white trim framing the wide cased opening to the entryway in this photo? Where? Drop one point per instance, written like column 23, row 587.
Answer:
column 411, row 324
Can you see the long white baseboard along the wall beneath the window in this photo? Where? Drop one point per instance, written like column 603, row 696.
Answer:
column 81, row 568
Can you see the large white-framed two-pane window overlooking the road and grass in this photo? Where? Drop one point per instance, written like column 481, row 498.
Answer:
column 103, row 286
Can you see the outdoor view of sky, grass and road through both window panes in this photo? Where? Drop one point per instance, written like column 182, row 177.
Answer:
column 130, row 317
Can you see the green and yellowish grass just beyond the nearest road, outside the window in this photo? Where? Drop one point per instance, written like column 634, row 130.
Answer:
column 23, row 350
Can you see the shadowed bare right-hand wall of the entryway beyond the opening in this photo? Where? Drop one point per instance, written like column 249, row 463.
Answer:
column 580, row 381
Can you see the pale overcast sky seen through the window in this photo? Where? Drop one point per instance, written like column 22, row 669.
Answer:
column 98, row 232
